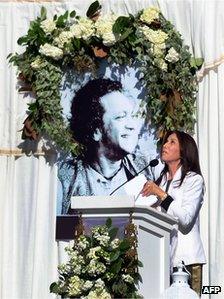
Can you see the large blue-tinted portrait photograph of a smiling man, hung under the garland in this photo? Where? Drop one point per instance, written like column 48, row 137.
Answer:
column 106, row 117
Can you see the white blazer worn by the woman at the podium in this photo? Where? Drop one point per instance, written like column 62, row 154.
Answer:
column 186, row 242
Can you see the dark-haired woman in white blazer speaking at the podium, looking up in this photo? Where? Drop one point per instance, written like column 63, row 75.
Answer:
column 180, row 189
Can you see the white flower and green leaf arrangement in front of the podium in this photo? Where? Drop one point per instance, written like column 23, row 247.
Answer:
column 101, row 265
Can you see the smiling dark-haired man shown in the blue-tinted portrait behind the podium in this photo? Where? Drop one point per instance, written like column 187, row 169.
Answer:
column 103, row 119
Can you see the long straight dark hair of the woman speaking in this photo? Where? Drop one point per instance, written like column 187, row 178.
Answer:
column 188, row 155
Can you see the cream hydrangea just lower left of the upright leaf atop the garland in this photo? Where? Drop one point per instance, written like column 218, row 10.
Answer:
column 84, row 28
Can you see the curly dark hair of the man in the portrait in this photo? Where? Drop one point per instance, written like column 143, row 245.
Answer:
column 87, row 111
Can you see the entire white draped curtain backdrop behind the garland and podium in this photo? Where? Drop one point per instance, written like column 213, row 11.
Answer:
column 28, row 251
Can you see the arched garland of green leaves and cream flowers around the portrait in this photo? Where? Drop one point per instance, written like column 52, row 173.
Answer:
column 52, row 45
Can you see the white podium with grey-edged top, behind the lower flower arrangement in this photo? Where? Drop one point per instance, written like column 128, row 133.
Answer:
column 153, row 228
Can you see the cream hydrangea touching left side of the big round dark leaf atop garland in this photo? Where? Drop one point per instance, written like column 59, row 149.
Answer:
column 104, row 30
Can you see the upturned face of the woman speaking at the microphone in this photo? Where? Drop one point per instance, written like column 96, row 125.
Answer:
column 171, row 150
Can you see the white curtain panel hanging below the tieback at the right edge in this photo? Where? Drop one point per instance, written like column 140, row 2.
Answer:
column 211, row 149
